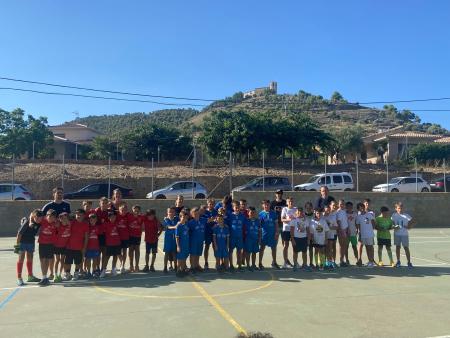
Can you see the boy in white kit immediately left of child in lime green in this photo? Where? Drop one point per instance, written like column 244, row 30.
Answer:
column 365, row 222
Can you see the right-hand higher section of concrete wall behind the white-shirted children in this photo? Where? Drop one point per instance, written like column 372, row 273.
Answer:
column 428, row 209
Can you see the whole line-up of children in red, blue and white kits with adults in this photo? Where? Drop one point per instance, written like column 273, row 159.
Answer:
column 91, row 237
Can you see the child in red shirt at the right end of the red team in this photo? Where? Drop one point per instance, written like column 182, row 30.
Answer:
column 152, row 231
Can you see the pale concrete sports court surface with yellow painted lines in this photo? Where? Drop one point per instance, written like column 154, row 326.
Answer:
column 349, row 302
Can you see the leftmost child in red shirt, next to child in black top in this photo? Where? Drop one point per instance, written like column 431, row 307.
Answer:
column 47, row 238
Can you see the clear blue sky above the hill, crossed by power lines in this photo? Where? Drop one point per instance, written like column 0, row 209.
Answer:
column 367, row 50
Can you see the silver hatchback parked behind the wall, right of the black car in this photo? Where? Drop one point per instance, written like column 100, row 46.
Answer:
column 184, row 188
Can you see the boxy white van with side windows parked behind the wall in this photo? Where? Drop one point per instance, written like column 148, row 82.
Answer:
column 334, row 181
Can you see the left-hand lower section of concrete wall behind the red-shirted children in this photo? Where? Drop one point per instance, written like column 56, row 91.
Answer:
column 11, row 212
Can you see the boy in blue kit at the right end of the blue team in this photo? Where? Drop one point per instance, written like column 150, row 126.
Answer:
column 269, row 227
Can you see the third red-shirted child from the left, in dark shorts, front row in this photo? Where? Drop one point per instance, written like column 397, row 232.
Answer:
column 76, row 246
